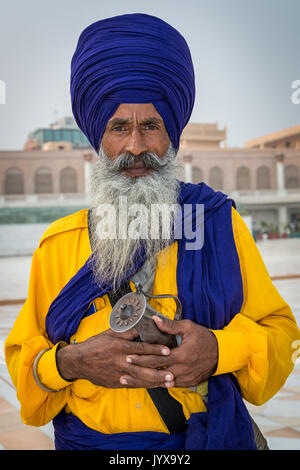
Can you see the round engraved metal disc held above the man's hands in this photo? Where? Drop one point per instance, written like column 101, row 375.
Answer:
column 127, row 312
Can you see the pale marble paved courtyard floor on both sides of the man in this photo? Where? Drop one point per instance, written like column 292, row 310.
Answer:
column 279, row 419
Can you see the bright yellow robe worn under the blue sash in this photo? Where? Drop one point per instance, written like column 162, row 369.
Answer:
column 256, row 345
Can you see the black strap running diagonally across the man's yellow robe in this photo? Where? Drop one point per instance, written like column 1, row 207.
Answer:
column 169, row 409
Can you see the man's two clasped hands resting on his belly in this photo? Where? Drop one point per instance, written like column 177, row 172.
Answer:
column 114, row 360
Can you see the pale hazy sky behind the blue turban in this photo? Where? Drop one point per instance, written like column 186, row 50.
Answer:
column 245, row 52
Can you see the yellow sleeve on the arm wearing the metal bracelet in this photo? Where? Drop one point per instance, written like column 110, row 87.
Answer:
column 25, row 341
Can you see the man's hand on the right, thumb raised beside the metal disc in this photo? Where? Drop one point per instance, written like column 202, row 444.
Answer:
column 192, row 362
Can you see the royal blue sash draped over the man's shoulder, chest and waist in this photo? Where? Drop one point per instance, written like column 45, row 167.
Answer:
column 210, row 289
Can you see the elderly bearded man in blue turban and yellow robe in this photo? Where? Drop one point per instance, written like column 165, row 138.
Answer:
column 132, row 88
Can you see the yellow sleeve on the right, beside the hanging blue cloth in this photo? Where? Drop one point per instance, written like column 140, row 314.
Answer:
column 257, row 344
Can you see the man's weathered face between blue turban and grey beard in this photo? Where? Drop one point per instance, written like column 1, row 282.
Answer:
column 135, row 129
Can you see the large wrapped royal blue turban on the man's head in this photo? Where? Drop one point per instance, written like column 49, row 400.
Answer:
column 134, row 58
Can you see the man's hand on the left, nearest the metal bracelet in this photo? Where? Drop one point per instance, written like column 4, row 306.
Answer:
column 101, row 359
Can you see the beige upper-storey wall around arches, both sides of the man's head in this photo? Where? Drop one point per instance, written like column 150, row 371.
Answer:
column 228, row 161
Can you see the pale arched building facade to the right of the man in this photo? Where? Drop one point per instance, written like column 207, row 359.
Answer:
column 272, row 201
